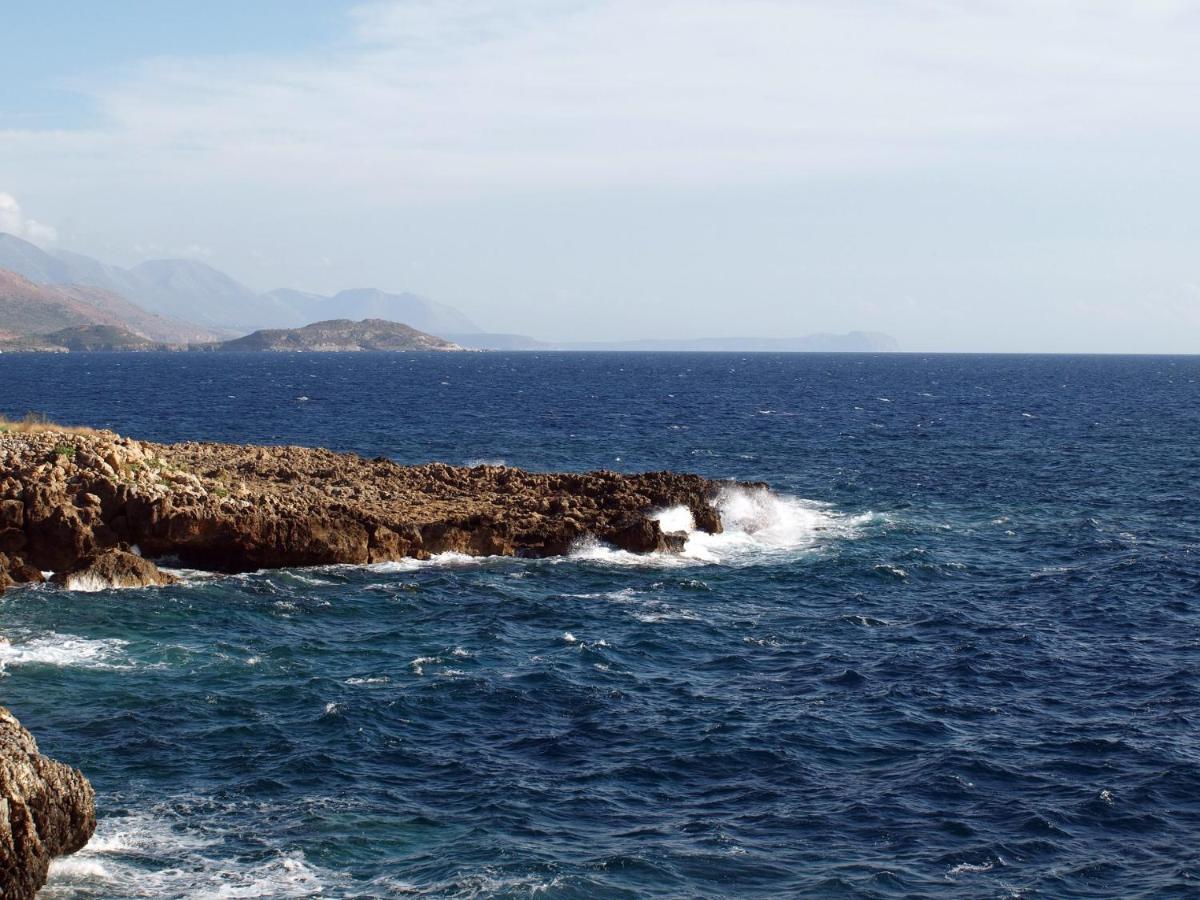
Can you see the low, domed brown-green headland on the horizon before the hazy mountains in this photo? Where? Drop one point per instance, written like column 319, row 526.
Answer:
column 340, row 337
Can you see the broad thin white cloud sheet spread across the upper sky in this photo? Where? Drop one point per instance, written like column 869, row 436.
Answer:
column 437, row 95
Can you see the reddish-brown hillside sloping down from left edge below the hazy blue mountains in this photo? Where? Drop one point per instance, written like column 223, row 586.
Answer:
column 29, row 309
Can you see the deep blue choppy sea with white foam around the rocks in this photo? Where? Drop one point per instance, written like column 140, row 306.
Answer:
column 957, row 653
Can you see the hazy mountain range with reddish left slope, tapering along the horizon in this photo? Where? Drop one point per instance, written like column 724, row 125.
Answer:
column 181, row 302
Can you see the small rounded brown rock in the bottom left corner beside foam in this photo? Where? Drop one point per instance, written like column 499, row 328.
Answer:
column 47, row 809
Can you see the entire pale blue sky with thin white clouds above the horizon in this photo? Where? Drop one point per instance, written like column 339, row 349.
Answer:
column 986, row 176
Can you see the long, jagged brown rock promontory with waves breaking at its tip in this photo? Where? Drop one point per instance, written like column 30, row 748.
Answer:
column 65, row 497
